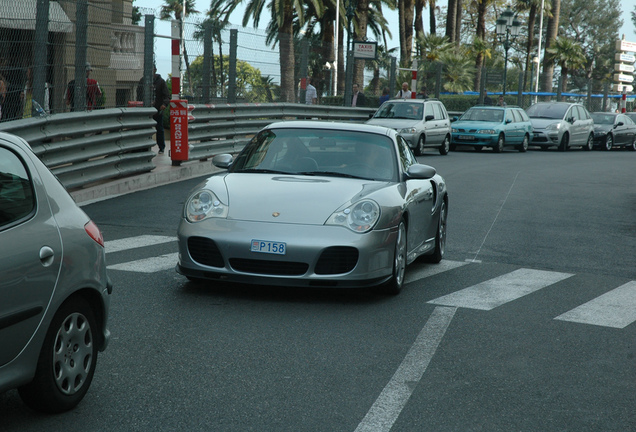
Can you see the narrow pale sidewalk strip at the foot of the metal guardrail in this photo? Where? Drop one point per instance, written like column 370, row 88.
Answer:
column 164, row 173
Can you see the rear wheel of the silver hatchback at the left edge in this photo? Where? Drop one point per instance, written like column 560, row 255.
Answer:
column 67, row 360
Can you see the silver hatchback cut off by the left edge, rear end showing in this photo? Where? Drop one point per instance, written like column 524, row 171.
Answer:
column 54, row 290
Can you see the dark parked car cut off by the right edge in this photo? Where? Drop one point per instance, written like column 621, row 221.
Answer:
column 614, row 130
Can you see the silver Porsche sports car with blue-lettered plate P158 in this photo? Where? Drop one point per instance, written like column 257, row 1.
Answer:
column 320, row 204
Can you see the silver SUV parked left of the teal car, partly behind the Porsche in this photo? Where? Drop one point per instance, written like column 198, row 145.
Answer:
column 422, row 122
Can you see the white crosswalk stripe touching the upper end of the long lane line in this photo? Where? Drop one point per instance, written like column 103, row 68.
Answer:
column 500, row 290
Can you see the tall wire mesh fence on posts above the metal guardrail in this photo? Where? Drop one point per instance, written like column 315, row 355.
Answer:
column 51, row 51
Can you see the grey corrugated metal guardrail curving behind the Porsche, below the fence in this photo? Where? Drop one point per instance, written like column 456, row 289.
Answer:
column 82, row 148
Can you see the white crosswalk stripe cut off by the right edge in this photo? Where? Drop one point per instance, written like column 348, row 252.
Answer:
column 616, row 308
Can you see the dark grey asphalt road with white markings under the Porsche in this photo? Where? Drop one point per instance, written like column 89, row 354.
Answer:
column 527, row 325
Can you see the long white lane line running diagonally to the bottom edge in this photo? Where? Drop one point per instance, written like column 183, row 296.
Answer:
column 397, row 392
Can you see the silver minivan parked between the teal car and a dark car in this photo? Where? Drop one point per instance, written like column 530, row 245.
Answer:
column 561, row 124
